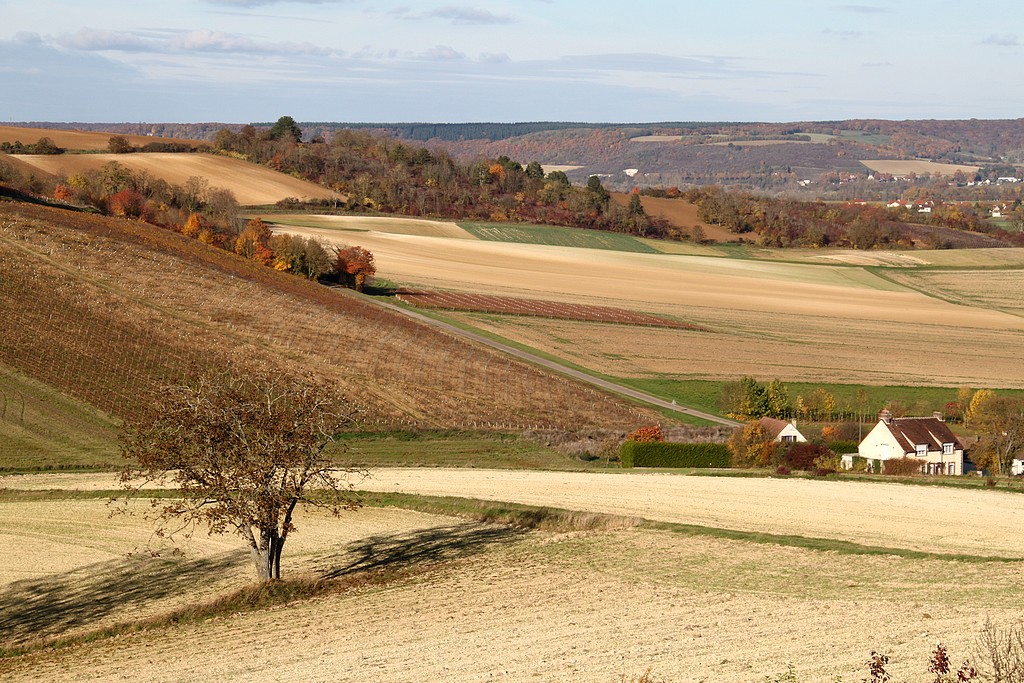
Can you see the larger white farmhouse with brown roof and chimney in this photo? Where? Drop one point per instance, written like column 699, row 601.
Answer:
column 929, row 440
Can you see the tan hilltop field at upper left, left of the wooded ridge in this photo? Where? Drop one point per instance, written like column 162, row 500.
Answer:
column 250, row 184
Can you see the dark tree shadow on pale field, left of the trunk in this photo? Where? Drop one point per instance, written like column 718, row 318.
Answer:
column 56, row 605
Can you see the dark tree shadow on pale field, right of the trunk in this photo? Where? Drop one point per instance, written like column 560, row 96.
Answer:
column 431, row 546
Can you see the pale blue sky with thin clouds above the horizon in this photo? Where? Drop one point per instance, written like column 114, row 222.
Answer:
column 639, row 62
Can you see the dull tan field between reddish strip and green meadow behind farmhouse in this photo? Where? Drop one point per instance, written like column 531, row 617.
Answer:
column 809, row 350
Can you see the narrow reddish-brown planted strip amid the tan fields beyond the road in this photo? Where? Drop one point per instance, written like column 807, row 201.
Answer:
column 533, row 308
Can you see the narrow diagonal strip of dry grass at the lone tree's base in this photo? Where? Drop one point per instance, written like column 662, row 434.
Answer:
column 251, row 599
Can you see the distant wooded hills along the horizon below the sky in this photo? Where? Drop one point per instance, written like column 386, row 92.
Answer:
column 802, row 157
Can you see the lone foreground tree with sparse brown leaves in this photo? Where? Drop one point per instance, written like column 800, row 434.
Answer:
column 242, row 452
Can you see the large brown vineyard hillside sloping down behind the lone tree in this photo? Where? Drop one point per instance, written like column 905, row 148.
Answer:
column 103, row 310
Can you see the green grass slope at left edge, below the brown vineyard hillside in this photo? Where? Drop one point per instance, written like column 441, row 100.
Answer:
column 41, row 429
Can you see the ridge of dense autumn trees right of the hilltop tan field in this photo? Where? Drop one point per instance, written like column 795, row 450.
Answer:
column 381, row 175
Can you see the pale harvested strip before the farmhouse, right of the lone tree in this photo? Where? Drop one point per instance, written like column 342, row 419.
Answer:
column 901, row 517
